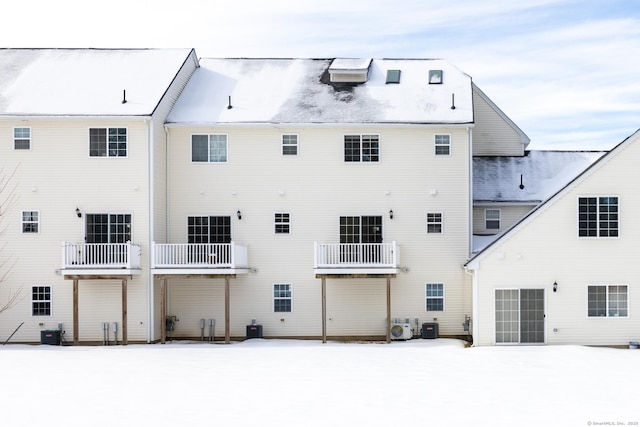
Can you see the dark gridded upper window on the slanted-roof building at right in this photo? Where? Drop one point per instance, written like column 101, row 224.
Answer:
column 598, row 217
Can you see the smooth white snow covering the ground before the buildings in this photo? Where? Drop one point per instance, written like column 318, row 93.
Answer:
column 307, row 383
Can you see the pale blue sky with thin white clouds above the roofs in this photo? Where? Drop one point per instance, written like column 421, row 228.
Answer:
column 566, row 71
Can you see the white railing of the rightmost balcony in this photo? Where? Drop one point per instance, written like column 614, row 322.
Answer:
column 366, row 255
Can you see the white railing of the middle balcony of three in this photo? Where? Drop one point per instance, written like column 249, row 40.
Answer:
column 199, row 255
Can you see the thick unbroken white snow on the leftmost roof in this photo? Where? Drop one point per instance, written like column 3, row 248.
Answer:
column 85, row 82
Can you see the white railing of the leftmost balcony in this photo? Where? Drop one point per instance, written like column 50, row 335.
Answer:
column 100, row 255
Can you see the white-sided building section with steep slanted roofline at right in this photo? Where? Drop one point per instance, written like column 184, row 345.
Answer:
column 565, row 273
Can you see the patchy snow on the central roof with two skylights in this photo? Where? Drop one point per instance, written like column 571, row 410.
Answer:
column 298, row 91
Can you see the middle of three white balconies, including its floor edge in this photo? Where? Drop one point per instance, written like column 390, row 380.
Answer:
column 199, row 258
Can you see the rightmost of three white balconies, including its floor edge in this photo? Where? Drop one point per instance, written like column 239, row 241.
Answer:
column 356, row 258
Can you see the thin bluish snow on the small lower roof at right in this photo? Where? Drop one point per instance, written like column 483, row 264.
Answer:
column 497, row 178
